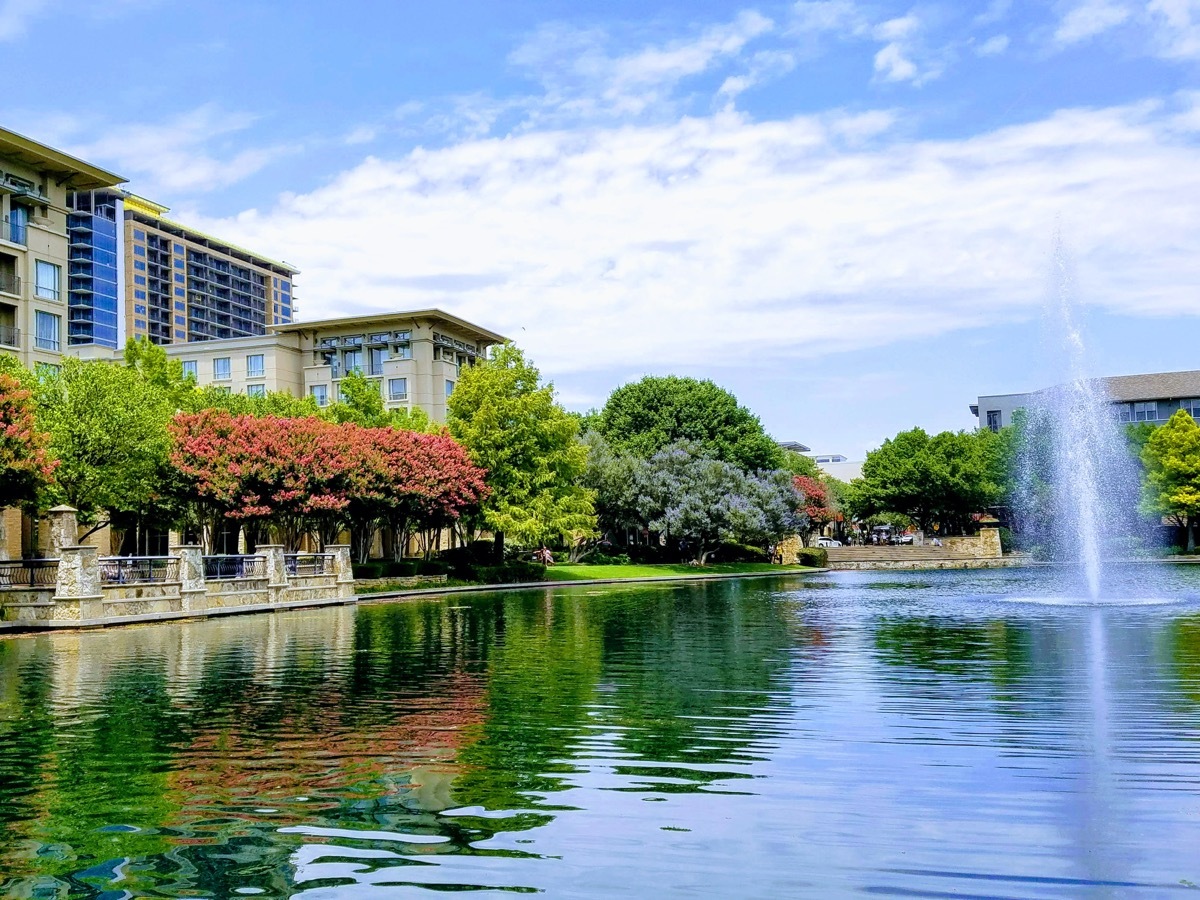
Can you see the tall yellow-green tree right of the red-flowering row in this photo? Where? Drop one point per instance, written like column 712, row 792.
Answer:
column 530, row 446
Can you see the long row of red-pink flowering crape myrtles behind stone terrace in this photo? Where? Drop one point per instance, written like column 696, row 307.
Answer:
column 315, row 477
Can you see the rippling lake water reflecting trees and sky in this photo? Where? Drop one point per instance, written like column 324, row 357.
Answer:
column 943, row 735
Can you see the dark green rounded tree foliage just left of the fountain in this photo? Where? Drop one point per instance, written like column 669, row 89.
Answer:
column 941, row 479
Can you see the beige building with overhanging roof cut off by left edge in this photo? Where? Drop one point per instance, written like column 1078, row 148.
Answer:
column 35, row 303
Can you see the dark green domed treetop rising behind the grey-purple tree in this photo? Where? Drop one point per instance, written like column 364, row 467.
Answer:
column 658, row 412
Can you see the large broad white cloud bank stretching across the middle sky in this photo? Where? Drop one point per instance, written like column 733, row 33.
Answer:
column 723, row 242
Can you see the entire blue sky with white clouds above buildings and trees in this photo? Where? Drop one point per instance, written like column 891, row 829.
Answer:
column 844, row 212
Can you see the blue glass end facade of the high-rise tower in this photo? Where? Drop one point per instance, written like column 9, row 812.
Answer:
column 92, row 273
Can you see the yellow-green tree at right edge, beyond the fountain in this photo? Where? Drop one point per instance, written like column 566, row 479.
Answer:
column 1172, row 484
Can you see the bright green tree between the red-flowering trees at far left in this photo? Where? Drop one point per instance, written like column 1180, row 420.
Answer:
column 109, row 430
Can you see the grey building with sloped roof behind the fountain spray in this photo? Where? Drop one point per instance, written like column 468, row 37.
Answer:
column 1135, row 399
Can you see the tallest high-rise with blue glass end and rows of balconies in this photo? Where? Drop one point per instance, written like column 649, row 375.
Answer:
column 139, row 274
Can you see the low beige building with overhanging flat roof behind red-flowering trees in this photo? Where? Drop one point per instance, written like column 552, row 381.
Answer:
column 415, row 357
